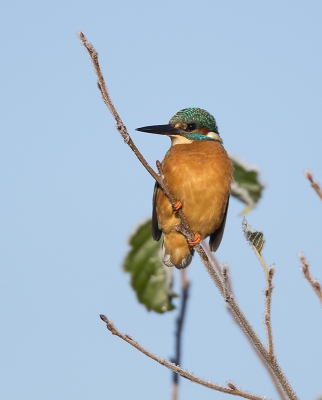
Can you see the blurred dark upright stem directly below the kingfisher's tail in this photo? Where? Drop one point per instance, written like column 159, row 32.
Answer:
column 185, row 285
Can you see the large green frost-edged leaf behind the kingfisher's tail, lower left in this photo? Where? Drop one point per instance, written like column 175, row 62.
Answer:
column 150, row 278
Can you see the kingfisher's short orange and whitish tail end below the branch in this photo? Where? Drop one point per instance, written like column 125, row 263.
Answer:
column 175, row 251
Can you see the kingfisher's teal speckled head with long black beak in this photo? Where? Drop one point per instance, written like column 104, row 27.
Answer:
column 186, row 126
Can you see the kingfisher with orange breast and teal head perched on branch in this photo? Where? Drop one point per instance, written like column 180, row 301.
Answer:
column 198, row 173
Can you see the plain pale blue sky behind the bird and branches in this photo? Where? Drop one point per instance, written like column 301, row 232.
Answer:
column 72, row 191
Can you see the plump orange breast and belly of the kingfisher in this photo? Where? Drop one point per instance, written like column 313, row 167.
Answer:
column 199, row 175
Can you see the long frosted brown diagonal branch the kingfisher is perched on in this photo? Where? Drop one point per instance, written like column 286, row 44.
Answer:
column 185, row 229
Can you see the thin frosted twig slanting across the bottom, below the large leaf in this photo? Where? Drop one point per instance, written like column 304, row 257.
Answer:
column 232, row 389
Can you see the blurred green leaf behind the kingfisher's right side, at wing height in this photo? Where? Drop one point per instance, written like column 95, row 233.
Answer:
column 246, row 186
